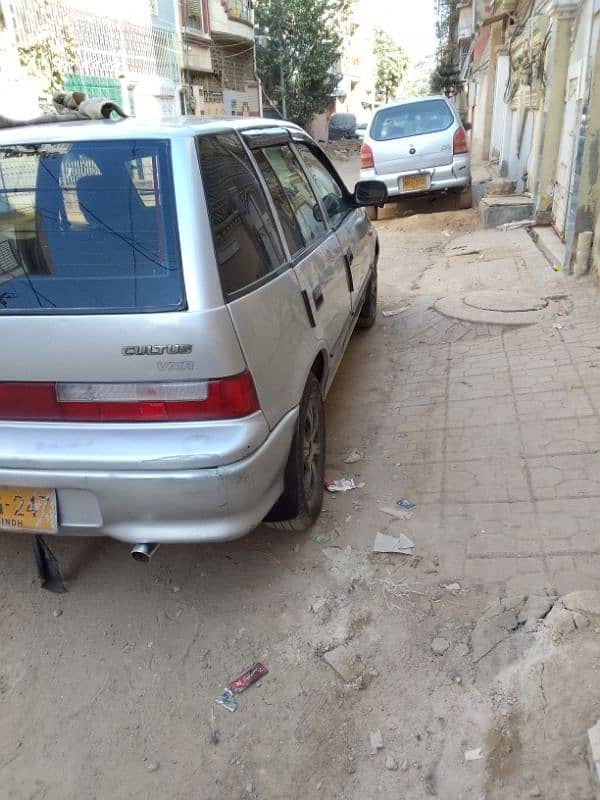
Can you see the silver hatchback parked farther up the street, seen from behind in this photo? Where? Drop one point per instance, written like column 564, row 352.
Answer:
column 418, row 146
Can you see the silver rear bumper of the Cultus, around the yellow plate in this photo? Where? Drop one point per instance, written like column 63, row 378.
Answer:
column 172, row 505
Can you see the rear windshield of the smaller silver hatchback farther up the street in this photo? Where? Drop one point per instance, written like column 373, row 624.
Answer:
column 411, row 119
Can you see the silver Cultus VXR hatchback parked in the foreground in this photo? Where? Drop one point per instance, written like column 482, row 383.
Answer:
column 175, row 300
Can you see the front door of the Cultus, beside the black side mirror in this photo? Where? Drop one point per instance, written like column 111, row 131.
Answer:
column 353, row 230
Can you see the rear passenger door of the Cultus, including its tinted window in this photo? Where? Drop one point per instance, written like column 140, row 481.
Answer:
column 313, row 246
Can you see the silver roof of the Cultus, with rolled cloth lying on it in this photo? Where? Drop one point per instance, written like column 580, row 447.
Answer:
column 133, row 128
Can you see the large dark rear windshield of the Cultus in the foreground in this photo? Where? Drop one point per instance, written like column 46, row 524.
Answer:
column 88, row 226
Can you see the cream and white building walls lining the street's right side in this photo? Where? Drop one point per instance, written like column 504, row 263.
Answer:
column 536, row 110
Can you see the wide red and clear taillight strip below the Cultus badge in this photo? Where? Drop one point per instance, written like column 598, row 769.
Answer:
column 226, row 398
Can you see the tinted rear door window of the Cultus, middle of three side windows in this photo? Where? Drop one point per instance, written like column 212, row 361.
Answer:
column 294, row 200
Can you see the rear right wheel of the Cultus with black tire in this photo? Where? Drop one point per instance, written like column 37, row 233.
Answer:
column 300, row 504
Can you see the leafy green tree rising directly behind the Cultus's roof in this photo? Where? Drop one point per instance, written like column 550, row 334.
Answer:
column 298, row 47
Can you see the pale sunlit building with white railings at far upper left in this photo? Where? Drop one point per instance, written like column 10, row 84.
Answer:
column 120, row 50
